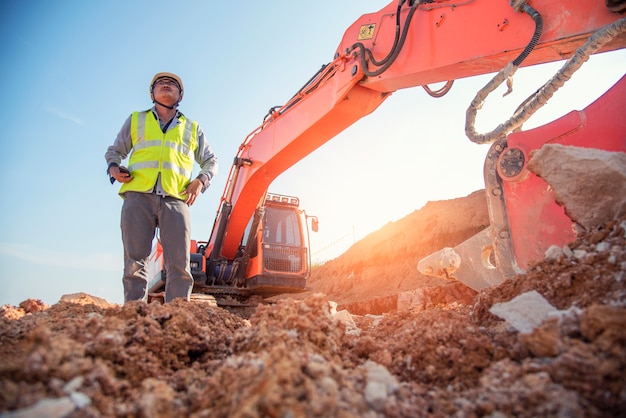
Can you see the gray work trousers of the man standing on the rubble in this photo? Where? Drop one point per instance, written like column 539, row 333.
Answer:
column 142, row 213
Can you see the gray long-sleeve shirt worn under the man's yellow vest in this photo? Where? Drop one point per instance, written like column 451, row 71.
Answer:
column 122, row 147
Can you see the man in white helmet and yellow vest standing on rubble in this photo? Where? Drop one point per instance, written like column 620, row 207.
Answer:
column 157, row 188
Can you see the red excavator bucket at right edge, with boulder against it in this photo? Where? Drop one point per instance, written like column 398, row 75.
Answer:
column 541, row 186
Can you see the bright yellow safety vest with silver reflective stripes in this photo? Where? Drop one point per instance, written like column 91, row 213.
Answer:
column 171, row 154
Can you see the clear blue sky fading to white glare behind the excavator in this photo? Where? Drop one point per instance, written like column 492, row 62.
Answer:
column 74, row 70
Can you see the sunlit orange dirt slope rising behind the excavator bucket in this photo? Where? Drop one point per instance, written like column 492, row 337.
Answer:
column 375, row 271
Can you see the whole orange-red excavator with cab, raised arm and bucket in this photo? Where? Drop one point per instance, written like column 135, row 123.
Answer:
column 259, row 243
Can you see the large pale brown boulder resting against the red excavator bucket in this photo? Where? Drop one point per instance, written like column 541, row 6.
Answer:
column 589, row 183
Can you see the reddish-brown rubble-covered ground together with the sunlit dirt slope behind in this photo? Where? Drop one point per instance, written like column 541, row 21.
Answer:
column 450, row 356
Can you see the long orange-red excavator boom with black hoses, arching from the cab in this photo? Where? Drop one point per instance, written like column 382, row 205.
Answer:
column 405, row 44
